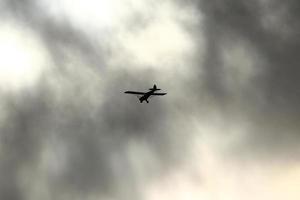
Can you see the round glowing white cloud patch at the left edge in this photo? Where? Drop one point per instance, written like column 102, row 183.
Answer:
column 22, row 57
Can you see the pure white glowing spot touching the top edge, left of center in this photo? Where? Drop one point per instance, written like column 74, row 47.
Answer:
column 89, row 14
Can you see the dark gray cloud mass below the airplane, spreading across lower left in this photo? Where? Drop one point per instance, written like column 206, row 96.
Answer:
column 91, row 141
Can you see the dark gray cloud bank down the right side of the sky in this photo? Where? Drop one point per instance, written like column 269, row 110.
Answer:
column 273, row 108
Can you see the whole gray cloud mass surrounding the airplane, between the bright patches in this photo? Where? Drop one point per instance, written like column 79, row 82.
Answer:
column 97, row 127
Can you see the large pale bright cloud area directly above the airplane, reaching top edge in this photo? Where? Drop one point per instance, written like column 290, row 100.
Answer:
column 140, row 34
